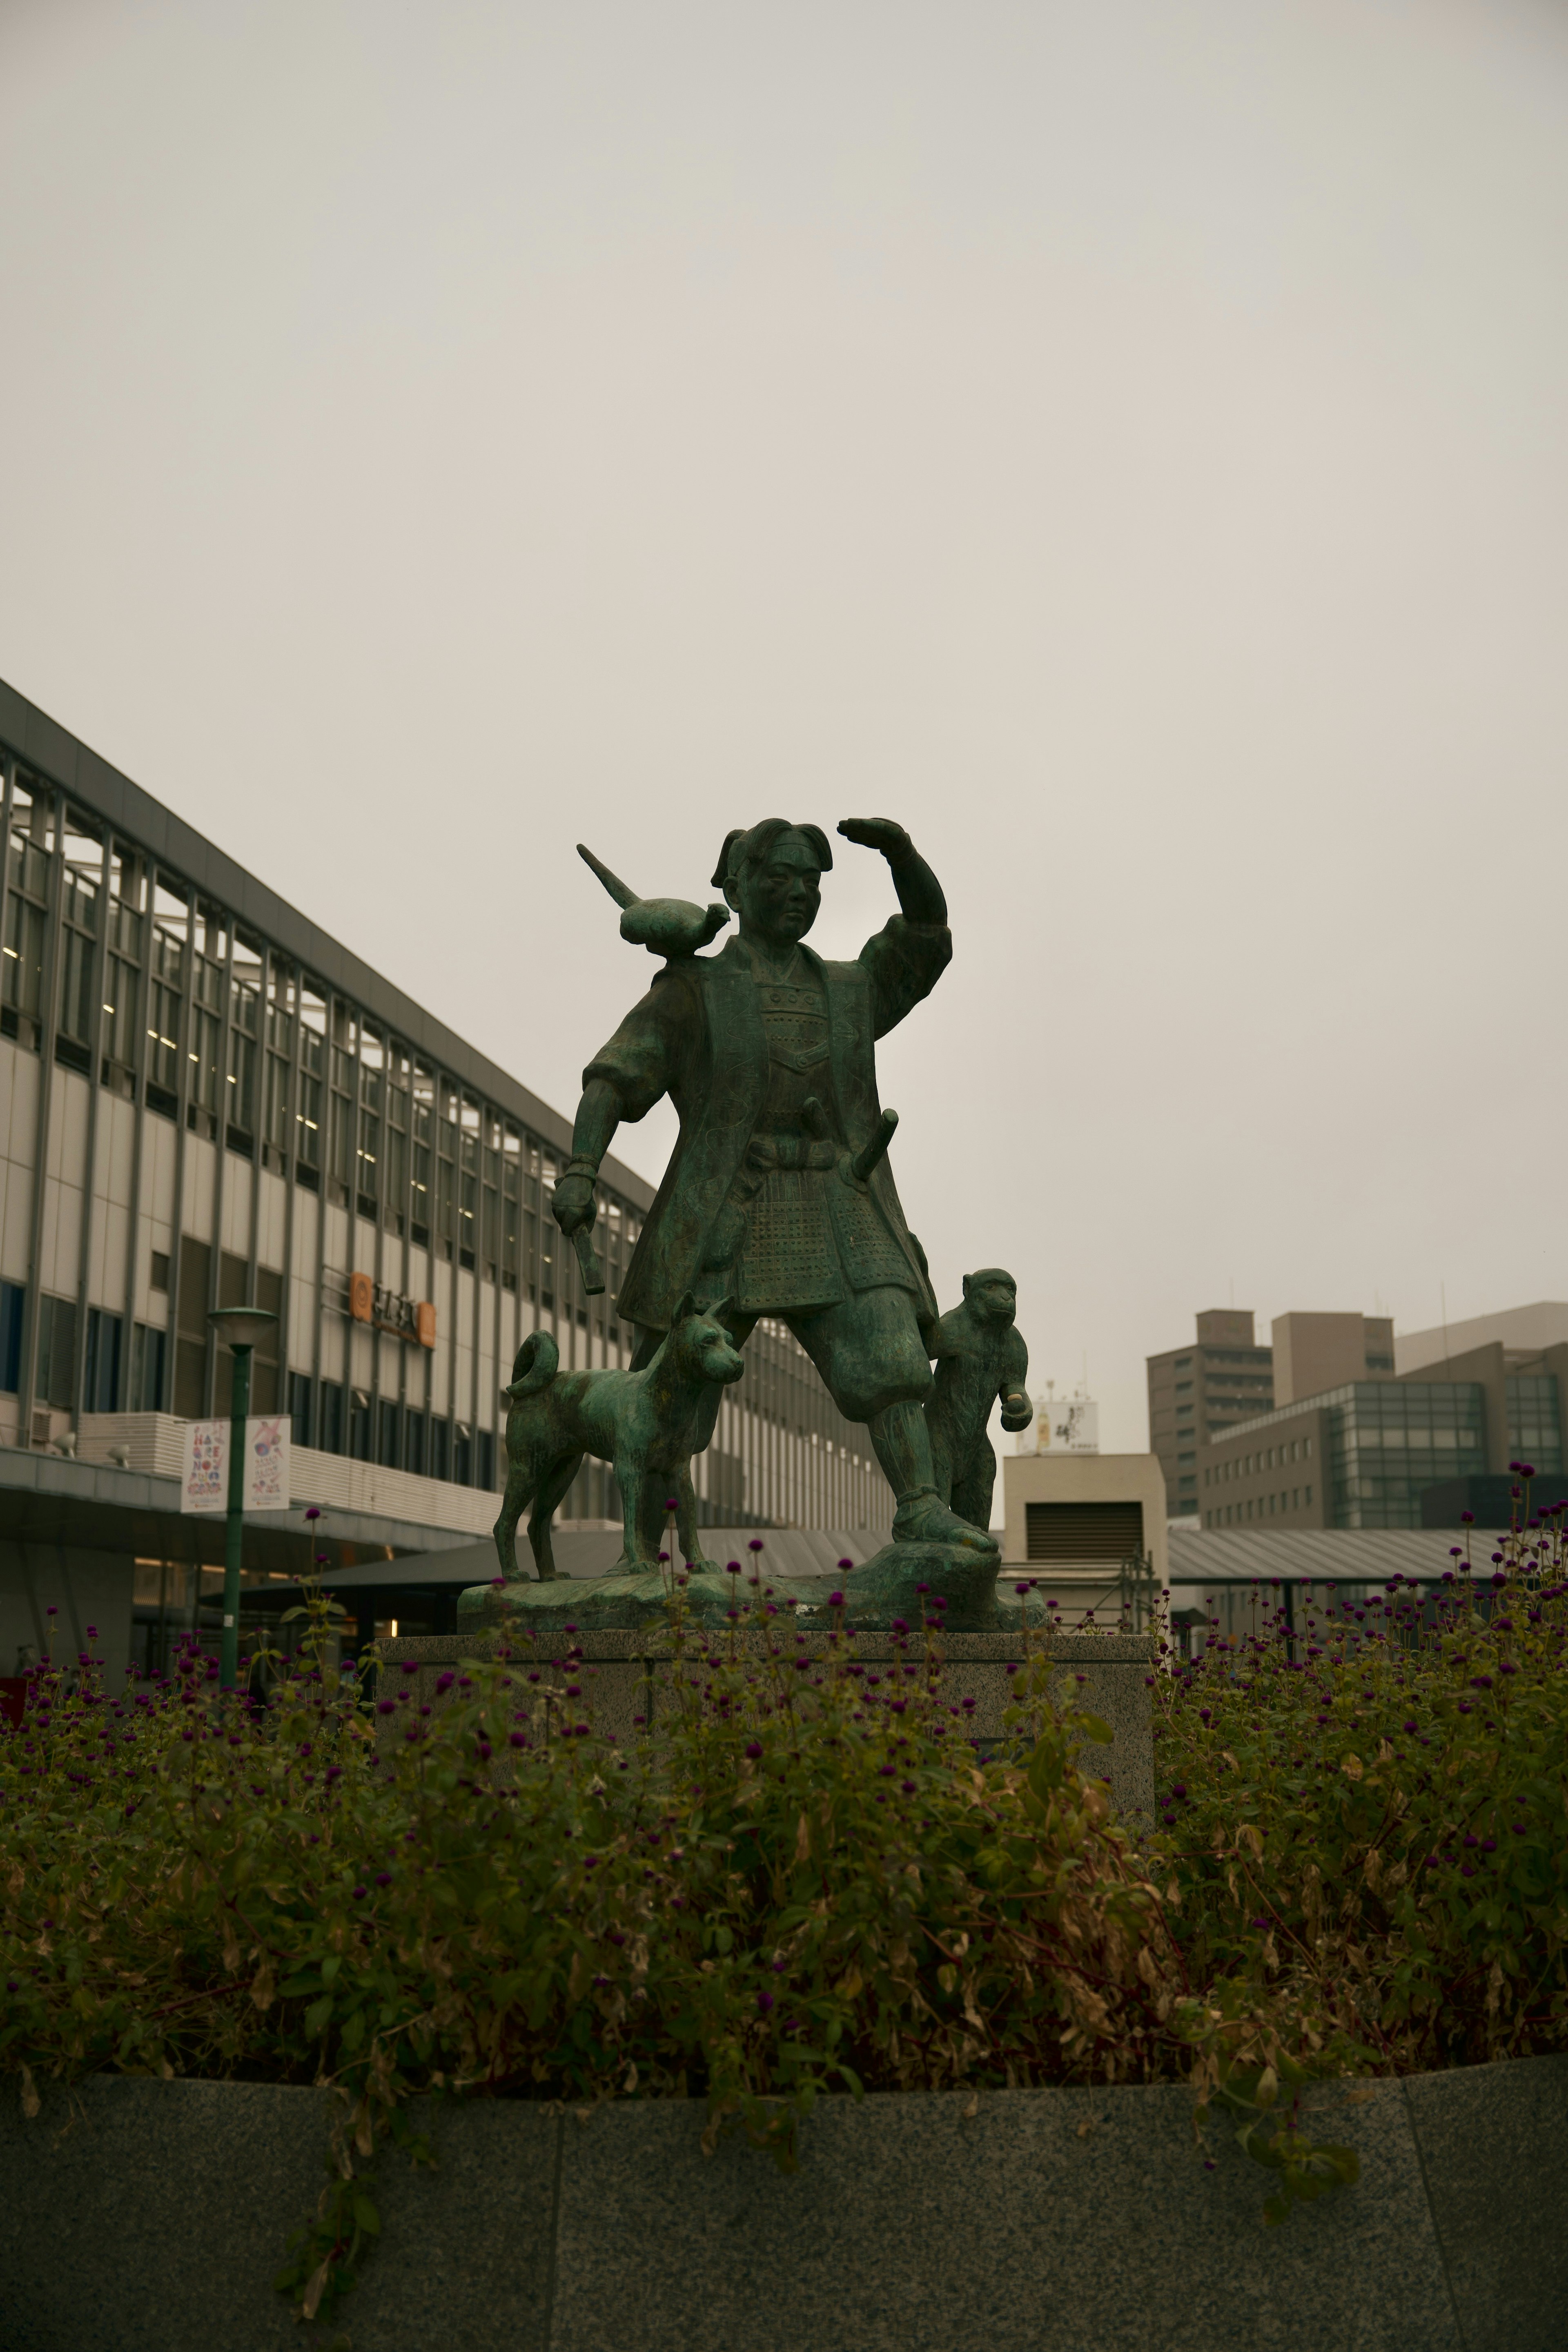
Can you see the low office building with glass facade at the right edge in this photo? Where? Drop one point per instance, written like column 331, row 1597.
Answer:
column 1367, row 1452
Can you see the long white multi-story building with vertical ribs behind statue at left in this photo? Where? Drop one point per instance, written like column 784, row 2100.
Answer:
column 210, row 1102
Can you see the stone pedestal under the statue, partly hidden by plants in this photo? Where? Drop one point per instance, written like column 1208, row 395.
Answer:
column 626, row 1676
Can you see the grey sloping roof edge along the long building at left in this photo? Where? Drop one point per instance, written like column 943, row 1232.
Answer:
column 107, row 794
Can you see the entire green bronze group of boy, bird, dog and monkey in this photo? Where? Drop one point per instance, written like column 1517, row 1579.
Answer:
column 779, row 1201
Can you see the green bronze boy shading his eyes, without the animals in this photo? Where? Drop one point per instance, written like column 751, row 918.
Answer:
column 768, row 1055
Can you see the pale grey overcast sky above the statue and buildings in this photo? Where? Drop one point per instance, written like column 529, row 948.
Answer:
column 1123, row 441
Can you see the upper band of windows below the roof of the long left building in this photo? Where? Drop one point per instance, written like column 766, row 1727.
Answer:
column 257, row 1050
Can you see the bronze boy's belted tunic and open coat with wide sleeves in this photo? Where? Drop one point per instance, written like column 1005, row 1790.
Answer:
column 777, row 1085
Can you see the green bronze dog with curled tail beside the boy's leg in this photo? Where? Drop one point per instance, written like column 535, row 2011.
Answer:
column 643, row 1424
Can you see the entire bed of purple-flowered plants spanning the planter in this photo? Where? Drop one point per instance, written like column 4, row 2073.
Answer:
column 810, row 1885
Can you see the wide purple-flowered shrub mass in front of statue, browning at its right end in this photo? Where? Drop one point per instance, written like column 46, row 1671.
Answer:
column 812, row 1883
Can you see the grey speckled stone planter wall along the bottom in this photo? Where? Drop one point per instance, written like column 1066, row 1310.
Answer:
column 149, row 2217
